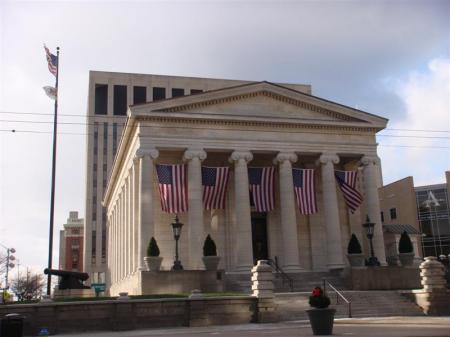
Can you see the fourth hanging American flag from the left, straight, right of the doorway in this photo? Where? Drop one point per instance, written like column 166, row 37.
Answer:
column 305, row 191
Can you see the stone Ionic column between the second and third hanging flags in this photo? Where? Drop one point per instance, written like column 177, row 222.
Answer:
column 243, row 233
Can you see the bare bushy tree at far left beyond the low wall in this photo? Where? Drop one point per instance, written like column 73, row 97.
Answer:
column 28, row 287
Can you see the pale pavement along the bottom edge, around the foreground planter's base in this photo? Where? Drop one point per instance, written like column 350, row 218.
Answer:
column 366, row 327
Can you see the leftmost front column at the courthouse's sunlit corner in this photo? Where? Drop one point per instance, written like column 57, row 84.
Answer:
column 145, row 215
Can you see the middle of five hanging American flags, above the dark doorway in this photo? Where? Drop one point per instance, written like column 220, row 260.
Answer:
column 261, row 181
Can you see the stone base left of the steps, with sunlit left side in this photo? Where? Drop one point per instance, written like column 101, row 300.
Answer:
column 170, row 282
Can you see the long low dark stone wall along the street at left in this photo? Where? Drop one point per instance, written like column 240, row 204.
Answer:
column 117, row 315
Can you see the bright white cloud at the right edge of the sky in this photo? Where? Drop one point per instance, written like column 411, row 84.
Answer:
column 426, row 96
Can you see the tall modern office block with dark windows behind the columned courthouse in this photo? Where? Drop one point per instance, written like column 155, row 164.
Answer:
column 109, row 96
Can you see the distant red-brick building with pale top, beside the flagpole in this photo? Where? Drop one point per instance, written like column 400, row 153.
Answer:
column 71, row 244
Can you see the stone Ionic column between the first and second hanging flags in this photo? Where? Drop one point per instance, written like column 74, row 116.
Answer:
column 194, row 158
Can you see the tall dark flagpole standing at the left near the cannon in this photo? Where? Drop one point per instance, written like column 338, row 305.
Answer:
column 52, row 197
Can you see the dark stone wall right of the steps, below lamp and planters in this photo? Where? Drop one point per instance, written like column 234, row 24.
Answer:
column 385, row 278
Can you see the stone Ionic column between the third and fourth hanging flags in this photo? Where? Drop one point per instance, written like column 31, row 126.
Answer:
column 291, row 260
